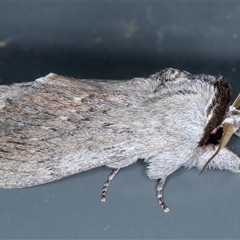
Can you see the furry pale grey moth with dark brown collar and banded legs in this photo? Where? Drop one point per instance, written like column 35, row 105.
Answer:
column 57, row 126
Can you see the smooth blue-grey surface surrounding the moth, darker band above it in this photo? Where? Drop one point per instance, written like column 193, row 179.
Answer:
column 121, row 40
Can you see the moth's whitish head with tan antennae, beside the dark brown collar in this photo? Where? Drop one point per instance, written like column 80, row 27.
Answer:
column 230, row 125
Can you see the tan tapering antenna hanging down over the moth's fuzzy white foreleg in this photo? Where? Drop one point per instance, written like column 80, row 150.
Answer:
column 227, row 134
